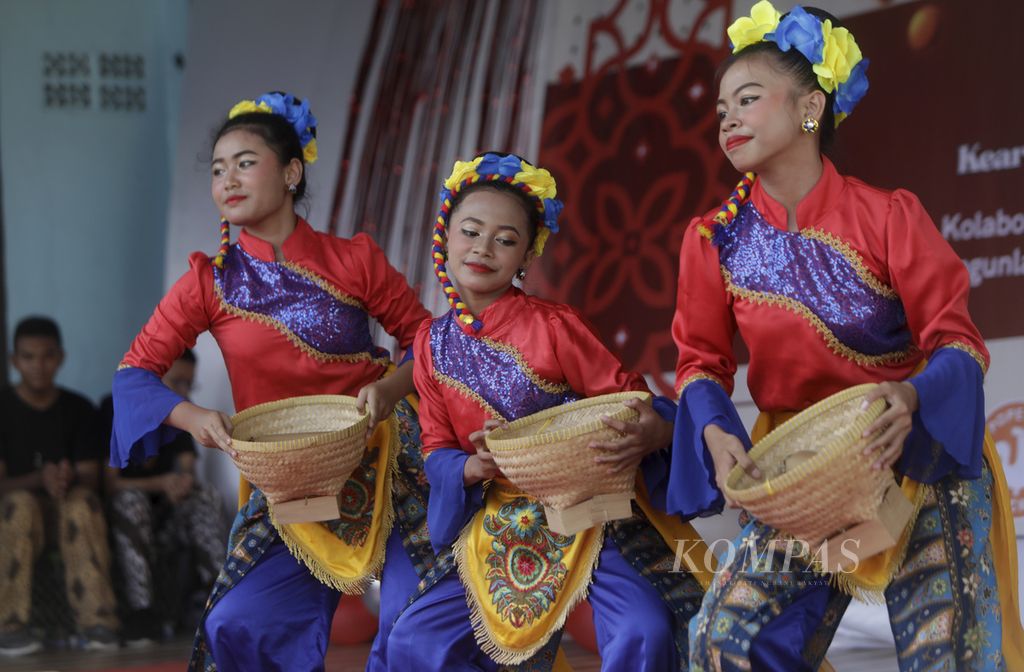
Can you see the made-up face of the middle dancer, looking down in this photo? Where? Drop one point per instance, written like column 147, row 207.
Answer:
column 488, row 243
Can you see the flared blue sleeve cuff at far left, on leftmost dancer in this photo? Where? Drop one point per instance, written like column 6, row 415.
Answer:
column 142, row 403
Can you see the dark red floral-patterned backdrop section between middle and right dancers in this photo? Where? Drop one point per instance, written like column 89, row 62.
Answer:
column 635, row 154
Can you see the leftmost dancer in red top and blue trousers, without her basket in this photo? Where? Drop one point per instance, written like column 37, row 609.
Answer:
column 290, row 310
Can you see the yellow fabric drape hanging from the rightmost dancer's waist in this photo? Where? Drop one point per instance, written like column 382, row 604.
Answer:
column 875, row 574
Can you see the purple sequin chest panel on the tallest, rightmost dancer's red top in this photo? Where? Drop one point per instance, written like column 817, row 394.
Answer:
column 762, row 259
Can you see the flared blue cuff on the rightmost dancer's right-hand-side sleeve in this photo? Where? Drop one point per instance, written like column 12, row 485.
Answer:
column 950, row 426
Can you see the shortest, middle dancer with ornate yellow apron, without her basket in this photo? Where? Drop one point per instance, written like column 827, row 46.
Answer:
column 497, row 356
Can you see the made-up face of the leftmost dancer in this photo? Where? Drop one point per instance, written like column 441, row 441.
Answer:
column 248, row 182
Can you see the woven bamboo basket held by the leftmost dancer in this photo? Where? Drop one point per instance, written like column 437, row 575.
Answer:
column 302, row 447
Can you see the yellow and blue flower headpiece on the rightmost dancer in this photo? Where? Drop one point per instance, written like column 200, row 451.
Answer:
column 832, row 51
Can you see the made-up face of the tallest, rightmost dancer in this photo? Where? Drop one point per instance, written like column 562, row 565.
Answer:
column 759, row 112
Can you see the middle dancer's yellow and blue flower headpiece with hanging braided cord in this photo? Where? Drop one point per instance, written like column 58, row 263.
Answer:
column 536, row 183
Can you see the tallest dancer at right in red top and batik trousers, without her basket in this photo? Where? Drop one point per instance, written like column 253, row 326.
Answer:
column 833, row 283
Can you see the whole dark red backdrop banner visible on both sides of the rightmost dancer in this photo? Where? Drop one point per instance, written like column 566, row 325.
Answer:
column 634, row 149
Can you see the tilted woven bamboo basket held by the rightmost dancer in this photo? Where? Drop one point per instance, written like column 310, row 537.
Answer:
column 817, row 481
